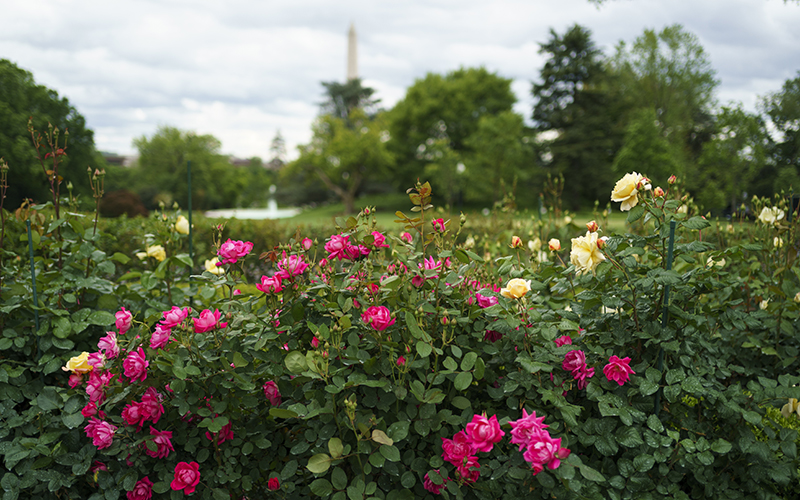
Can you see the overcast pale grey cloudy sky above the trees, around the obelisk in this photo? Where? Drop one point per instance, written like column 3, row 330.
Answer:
column 243, row 69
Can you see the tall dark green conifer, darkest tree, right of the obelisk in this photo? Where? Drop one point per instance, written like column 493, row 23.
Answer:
column 577, row 103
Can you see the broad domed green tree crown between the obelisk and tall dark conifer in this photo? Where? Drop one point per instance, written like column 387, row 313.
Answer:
column 443, row 107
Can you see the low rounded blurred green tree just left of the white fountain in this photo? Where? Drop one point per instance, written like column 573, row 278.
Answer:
column 162, row 170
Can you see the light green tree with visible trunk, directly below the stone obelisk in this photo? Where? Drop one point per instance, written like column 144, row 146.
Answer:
column 344, row 153
